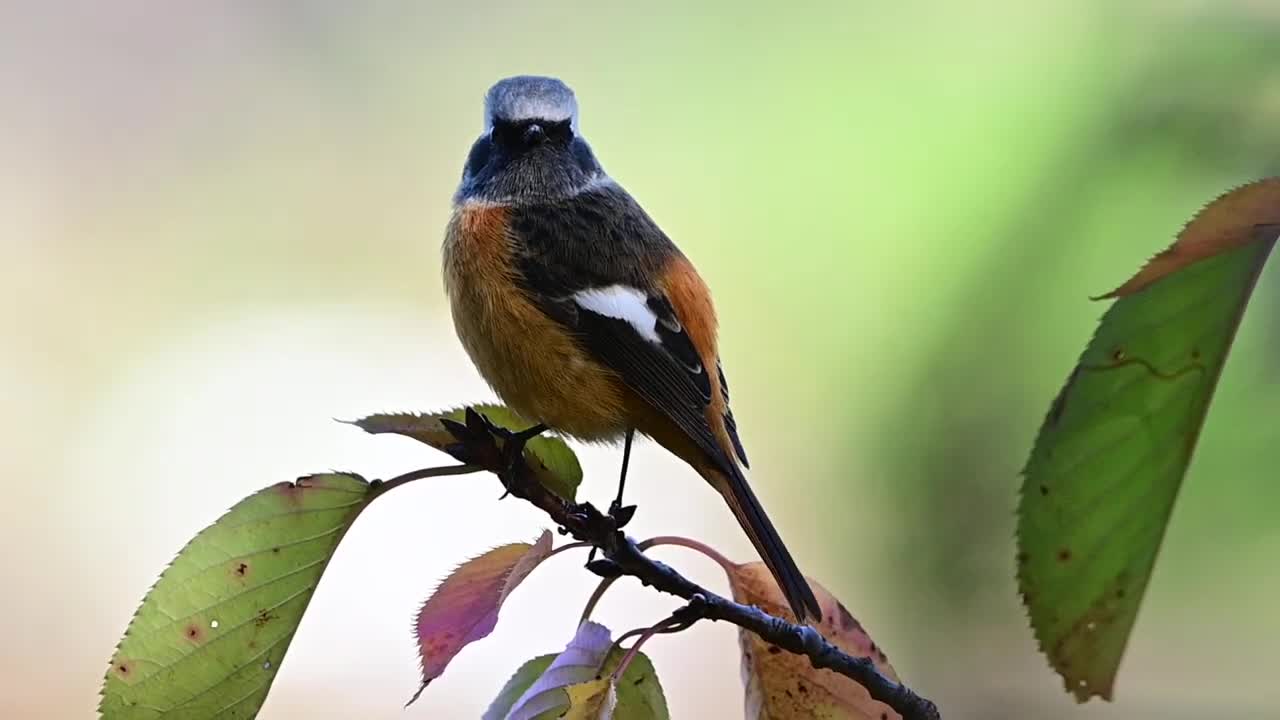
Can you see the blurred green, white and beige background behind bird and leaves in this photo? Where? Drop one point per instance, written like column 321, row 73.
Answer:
column 221, row 227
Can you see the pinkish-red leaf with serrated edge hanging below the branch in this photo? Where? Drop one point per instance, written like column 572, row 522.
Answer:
column 465, row 608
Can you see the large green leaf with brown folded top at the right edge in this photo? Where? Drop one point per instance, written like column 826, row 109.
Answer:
column 1103, row 477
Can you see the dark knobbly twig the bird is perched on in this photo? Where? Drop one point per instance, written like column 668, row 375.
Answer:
column 623, row 557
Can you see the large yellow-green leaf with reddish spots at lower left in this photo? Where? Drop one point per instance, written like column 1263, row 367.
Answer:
column 212, row 634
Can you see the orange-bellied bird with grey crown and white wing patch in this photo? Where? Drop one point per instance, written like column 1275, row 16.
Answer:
column 583, row 316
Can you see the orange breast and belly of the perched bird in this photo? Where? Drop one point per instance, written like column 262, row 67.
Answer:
column 534, row 366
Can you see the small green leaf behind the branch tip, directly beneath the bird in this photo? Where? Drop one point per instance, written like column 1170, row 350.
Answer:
column 554, row 463
